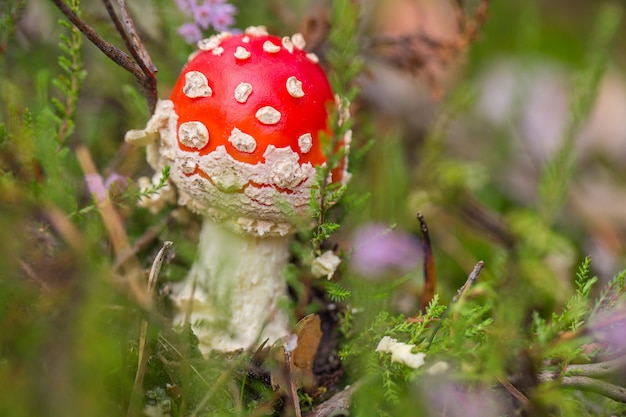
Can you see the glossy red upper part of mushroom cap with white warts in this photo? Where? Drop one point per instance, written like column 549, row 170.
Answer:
column 257, row 90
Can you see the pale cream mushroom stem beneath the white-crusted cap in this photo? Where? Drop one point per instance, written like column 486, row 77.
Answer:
column 231, row 296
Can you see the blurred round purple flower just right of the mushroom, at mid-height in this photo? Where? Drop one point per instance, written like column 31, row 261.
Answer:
column 377, row 250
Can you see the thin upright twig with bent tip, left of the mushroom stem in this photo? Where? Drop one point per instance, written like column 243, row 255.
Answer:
column 143, row 346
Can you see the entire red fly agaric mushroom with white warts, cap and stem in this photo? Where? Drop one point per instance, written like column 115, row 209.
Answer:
column 241, row 134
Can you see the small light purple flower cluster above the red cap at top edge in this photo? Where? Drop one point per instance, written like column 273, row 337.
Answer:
column 216, row 14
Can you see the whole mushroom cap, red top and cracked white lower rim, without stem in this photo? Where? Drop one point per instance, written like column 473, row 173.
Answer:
column 242, row 130
